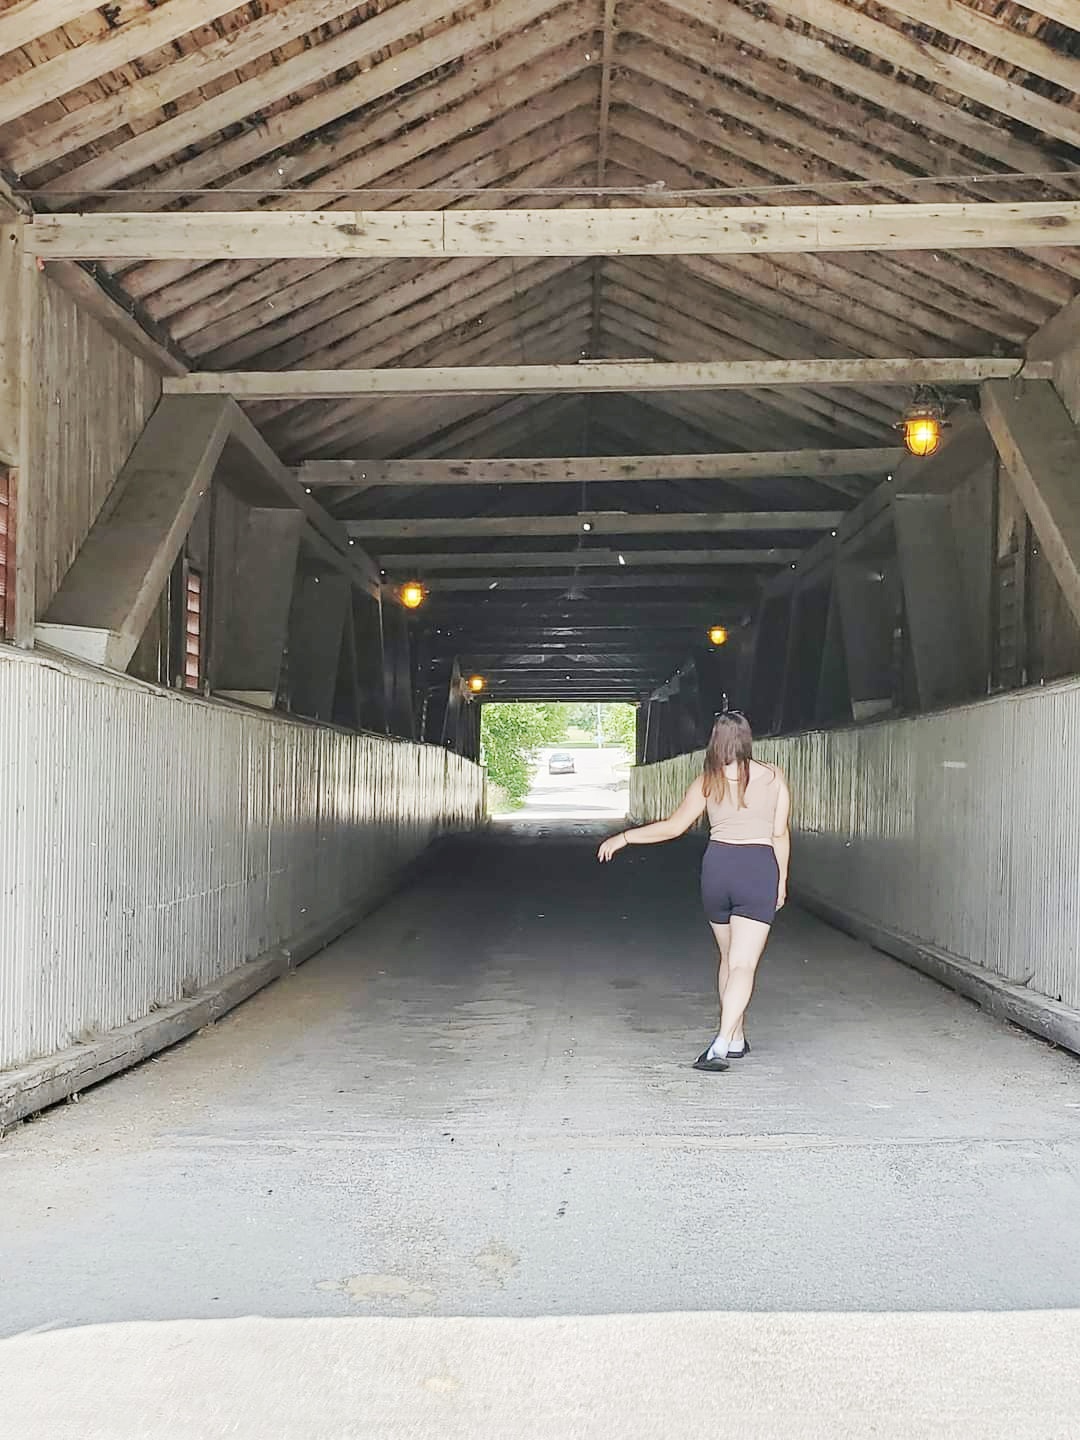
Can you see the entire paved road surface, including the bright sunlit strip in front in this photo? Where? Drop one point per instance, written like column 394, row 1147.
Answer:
column 469, row 1140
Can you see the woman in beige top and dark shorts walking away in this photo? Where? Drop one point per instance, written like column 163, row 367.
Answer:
column 744, row 872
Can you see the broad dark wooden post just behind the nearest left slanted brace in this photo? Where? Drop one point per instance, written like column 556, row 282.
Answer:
column 256, row 562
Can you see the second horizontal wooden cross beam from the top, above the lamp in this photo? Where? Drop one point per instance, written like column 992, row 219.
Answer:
column 598, row 378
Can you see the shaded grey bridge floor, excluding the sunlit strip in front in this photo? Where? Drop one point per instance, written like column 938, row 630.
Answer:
column 480, row 1104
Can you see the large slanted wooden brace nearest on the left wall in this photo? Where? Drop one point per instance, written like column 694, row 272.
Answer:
column 110, row 593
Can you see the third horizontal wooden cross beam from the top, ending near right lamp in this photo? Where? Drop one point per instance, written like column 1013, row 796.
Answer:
column 591, row 470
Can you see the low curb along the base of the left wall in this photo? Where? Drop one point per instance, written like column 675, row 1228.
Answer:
column 41, row 1084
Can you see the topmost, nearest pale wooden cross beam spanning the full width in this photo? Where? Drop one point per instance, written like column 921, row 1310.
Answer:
column 686, row 231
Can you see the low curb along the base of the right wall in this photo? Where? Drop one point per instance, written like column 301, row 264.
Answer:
column 1048, row 1019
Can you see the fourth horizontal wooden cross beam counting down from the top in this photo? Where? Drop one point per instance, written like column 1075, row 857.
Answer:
column 597, row 523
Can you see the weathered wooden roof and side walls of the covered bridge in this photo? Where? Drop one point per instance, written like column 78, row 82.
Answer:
column 593, row 329
